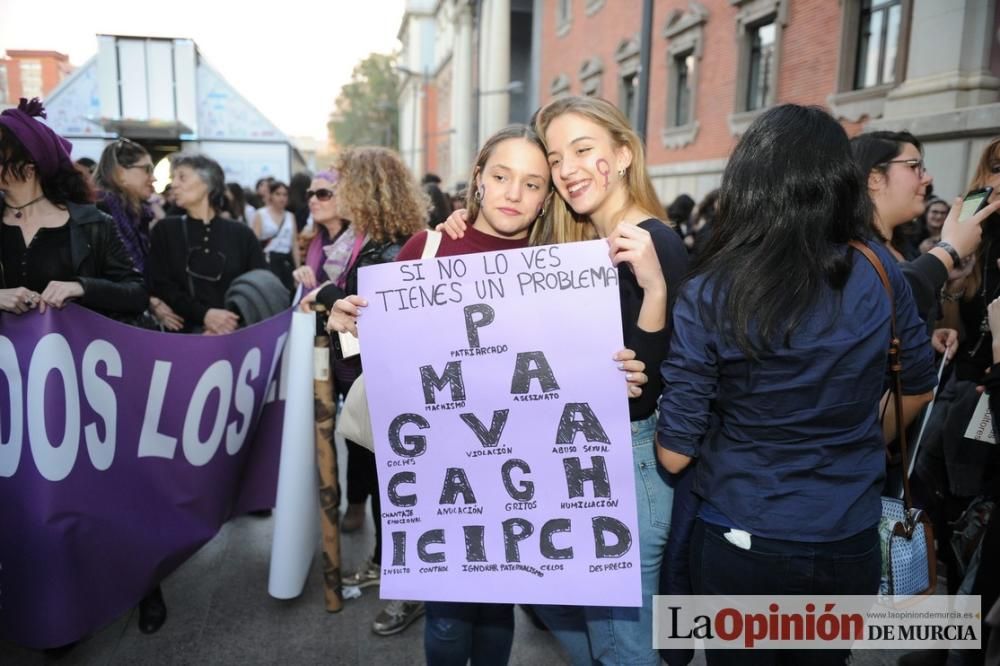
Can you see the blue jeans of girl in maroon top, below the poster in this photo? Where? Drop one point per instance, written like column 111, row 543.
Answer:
column 455, row 633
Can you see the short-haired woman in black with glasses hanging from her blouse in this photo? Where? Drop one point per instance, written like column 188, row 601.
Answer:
column 195, row 257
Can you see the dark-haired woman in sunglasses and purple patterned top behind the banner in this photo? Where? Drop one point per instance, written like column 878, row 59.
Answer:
column 124, row 176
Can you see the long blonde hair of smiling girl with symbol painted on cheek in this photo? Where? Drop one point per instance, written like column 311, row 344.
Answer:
column 564, row 225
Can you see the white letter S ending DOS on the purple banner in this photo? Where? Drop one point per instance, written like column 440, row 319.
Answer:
column 102, row 400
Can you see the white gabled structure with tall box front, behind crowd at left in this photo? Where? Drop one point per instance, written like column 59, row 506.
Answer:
column 162, row 93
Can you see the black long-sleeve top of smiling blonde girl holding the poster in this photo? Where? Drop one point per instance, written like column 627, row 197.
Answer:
column 651, row 346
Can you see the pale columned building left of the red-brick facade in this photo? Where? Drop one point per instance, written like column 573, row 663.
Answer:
column 468, row 67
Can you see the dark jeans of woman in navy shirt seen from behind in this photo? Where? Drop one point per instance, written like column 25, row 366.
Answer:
column 776, row 567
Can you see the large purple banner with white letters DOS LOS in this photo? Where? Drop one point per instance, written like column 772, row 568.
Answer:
column 122, row 451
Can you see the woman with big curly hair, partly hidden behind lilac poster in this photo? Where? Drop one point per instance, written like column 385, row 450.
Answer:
column 384, row 206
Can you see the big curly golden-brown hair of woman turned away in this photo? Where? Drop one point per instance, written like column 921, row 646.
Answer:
column 379, row 195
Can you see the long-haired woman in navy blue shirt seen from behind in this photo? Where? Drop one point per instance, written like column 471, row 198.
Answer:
column 776, row 369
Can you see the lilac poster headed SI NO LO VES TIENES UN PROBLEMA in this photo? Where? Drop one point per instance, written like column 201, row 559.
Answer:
column 501, row 428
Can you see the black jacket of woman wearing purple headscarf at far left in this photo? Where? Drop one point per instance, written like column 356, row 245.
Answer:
column 111, row 284
